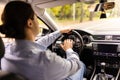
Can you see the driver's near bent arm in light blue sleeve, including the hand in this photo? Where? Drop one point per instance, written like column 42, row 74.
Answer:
column 61, row 67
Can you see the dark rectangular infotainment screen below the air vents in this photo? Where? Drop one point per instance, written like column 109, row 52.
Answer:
column 107, row 48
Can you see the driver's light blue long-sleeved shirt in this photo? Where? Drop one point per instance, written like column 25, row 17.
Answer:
column 35, row 62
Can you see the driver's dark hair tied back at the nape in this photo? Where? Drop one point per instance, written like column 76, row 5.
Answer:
column 14, row 18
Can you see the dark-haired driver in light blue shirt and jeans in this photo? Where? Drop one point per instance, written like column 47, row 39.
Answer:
column 31, row 58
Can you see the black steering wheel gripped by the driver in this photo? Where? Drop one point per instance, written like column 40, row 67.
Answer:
column 77, row 46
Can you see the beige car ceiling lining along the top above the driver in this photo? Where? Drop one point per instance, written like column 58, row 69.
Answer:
column 50, row 3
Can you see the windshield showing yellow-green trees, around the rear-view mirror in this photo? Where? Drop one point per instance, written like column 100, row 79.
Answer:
column 76, row 13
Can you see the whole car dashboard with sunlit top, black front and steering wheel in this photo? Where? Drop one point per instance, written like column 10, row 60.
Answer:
column 101, row 44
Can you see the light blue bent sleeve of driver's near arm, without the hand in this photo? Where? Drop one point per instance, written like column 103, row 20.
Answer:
column 60, row 68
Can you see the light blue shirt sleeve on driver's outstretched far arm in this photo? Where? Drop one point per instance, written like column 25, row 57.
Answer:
column 48, row 39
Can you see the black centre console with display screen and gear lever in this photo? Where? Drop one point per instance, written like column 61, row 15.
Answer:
column 107, row 61
